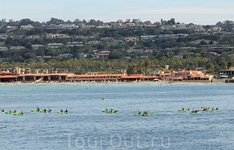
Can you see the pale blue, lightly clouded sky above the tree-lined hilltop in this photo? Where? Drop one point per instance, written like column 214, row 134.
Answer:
column 203, row 12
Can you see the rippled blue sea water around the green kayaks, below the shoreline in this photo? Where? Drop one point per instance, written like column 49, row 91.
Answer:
column 86, row 127
